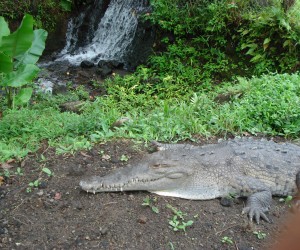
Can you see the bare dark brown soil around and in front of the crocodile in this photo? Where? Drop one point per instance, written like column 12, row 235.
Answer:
column 58, row 215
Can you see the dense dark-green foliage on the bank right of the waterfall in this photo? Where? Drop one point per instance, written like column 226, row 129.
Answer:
column 222, row 38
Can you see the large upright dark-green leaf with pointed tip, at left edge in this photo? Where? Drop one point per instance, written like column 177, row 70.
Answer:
column 20, row 41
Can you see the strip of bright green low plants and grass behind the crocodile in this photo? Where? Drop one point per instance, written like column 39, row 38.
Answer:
column 268, row 104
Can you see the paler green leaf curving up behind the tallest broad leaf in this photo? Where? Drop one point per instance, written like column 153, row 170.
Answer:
column 32, row 55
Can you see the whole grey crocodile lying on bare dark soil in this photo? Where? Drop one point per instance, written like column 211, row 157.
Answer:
column 246, row 167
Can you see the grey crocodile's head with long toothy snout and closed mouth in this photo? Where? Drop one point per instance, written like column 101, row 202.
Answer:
column 159, row 172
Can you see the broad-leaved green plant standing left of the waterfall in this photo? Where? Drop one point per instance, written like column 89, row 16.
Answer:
column 19, row 52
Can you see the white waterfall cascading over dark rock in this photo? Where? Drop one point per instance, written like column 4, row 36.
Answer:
column 109, row 32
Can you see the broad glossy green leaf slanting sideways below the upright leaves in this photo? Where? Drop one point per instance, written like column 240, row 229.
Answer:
column 22, row 76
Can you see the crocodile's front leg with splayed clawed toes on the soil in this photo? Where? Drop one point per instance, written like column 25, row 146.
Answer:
column 257, row 204
